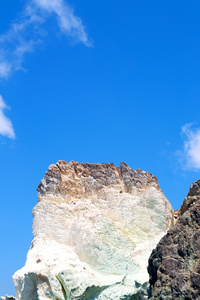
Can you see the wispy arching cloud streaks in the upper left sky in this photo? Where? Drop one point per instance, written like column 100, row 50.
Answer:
column 28, row 31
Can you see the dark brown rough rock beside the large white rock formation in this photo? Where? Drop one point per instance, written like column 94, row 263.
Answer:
column 174, row 266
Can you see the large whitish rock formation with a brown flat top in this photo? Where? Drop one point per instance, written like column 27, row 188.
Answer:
column 94, row 228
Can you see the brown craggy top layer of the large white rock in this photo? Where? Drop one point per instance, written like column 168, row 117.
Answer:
column 84, row 179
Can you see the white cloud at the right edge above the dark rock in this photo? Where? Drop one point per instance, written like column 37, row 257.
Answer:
column 190, row 155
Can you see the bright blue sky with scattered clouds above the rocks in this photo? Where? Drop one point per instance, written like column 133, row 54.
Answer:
column 94, row 81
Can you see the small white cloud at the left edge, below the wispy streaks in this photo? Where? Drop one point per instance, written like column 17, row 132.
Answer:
column 6, row 127
